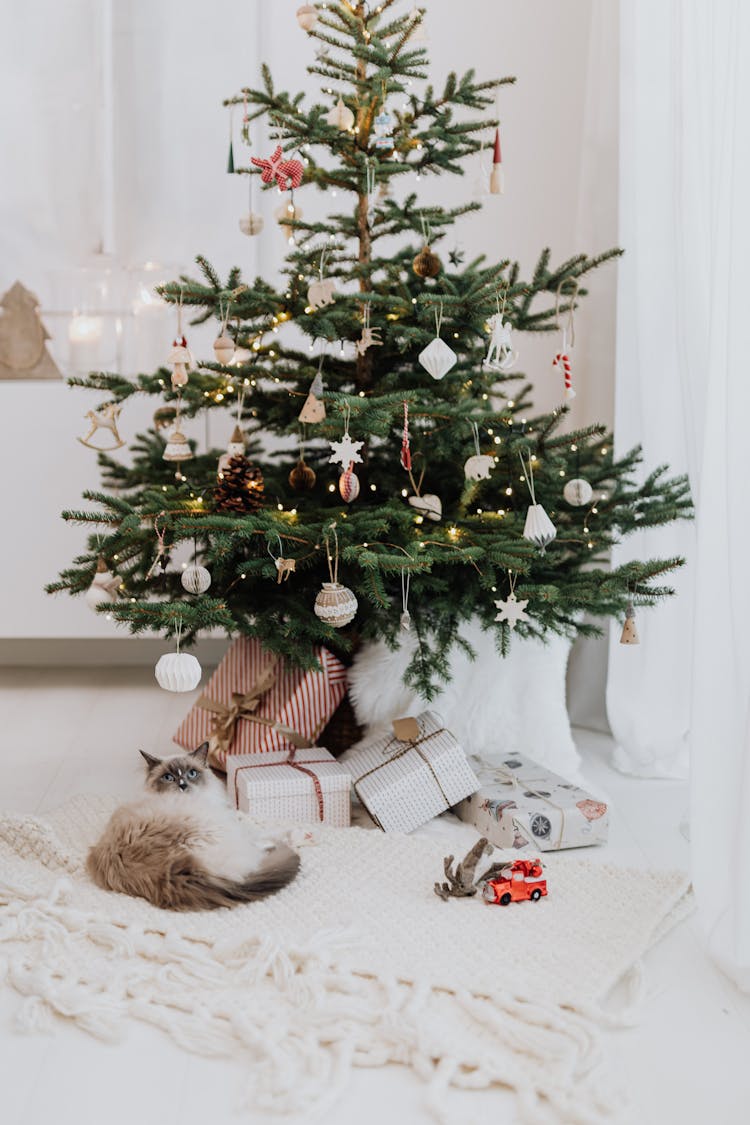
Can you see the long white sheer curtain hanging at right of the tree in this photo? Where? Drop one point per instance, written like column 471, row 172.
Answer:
column 684, row 392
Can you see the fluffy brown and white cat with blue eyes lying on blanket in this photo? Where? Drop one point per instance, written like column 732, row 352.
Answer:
column 183, row 849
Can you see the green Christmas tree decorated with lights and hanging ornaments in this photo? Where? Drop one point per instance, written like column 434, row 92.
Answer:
column 420, row 461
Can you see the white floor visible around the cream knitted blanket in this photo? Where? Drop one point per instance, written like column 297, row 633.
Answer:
column 74, row 731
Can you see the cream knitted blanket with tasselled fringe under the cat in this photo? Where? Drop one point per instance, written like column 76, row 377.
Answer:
column 357, row 964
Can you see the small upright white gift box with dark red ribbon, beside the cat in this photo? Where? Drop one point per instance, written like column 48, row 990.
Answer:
column 306, row 786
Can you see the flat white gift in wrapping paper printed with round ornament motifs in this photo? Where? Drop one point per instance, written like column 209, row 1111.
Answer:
column 521, row 805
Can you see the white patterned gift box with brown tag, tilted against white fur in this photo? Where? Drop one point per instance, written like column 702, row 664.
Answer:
column 405, row 781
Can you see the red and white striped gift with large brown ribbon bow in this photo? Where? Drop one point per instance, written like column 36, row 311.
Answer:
column 256, row 703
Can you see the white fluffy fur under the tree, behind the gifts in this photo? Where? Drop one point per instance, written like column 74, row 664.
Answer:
column 495, row 706
